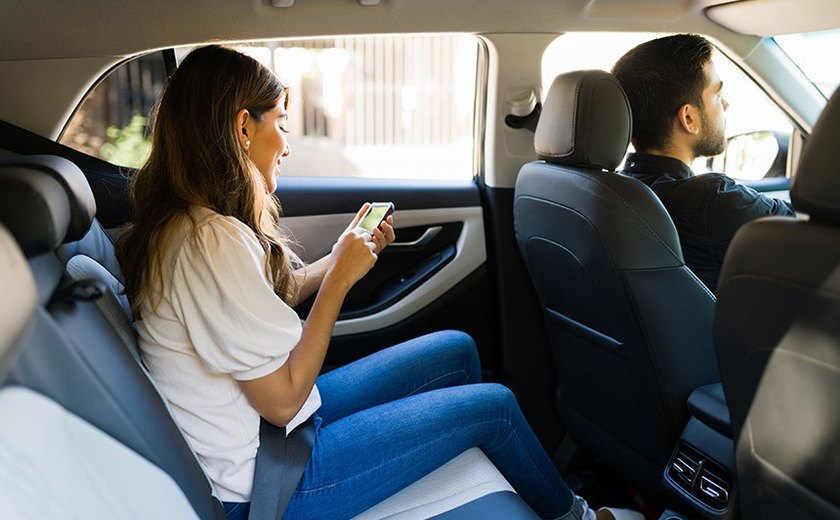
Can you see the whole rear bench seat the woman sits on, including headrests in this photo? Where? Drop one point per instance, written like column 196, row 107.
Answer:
column 96, row 435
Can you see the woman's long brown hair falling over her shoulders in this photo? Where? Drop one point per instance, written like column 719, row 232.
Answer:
column 196, row 160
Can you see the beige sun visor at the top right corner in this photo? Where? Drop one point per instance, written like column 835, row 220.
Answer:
column 774, row 17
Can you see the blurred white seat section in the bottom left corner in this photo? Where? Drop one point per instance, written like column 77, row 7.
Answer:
column 56, row 465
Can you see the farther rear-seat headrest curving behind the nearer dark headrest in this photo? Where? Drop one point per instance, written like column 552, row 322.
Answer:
column 72, row 180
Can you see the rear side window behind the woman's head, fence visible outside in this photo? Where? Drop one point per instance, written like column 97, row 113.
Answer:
column 371, row 106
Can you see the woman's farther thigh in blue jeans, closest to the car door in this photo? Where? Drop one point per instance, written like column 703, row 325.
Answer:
column 433, row 361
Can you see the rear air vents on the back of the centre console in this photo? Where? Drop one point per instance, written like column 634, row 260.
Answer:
column 700, row 477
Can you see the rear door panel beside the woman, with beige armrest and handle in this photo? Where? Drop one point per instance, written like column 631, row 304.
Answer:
column 434, row 276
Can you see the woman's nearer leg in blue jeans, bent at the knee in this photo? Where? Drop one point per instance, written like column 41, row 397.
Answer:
column 362, row 459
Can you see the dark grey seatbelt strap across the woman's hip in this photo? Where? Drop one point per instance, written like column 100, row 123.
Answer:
column 279, row 468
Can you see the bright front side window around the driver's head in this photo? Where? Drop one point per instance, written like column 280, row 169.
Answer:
column 756, row 129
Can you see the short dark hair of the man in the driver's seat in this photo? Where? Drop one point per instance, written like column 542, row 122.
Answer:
column 659, row 77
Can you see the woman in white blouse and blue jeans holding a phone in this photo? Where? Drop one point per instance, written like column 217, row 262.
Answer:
column 212, row 284
